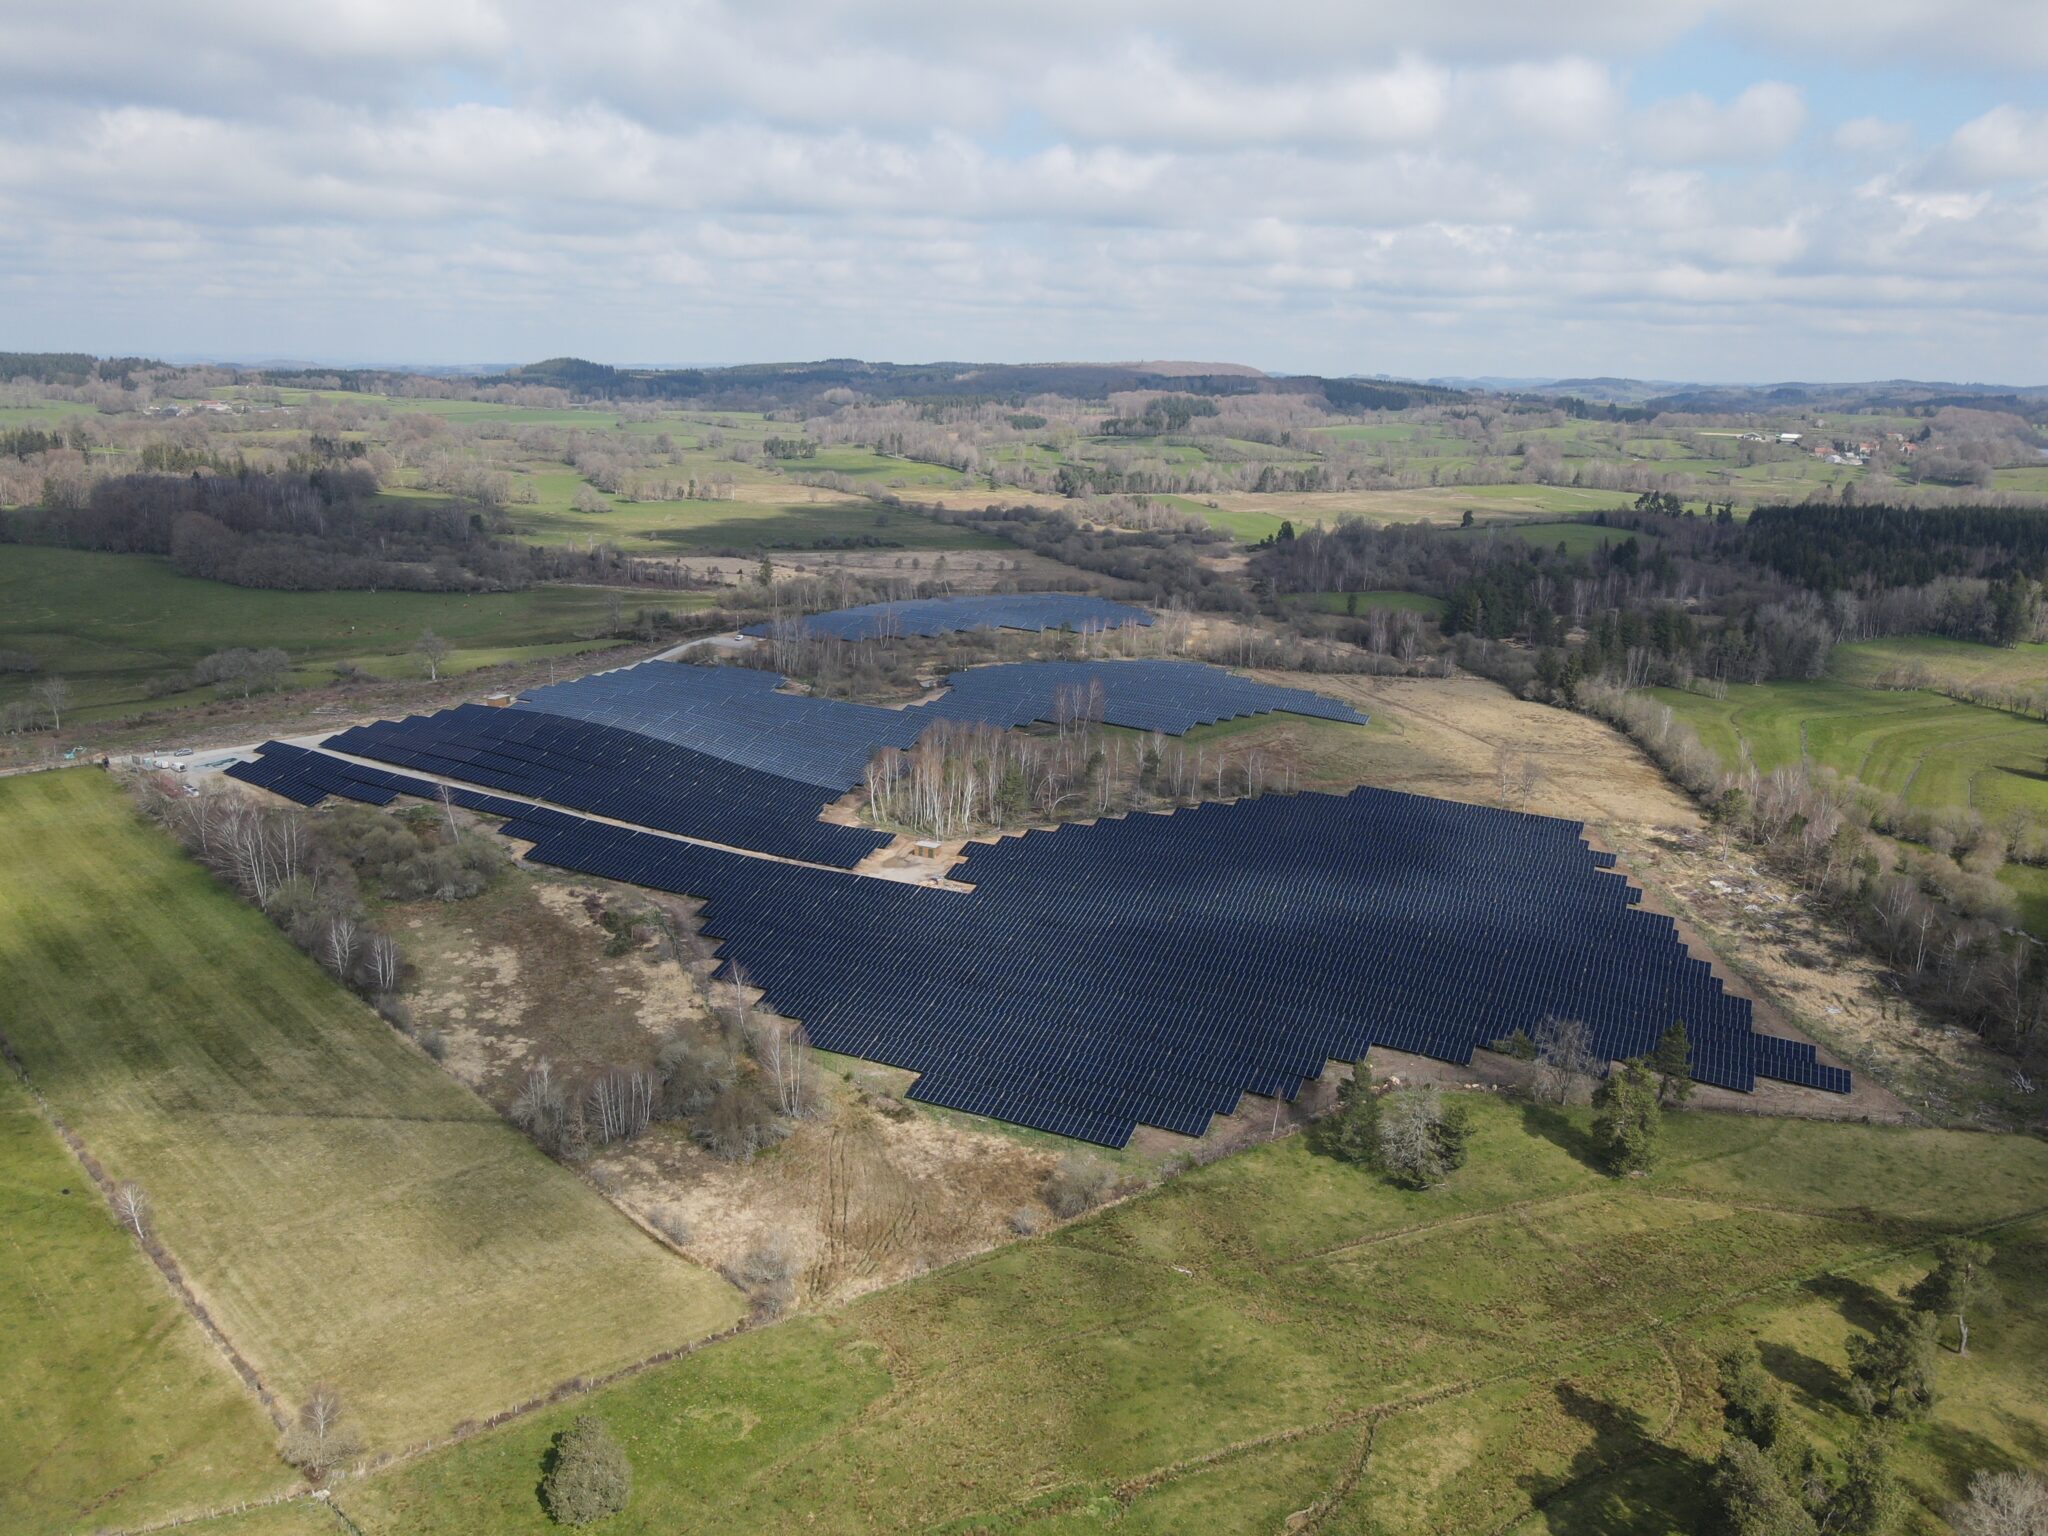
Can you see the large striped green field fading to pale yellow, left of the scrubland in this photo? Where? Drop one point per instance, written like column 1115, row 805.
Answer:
column 341, row 1205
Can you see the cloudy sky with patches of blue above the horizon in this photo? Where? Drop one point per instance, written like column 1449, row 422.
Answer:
column 1678, row 189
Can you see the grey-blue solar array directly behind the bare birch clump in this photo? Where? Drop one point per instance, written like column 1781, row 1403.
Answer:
column 740, row 716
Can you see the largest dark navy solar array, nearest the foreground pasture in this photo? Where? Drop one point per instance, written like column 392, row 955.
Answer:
column 1156, row 970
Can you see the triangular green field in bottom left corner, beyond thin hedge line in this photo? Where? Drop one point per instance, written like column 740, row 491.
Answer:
column 114, row 1406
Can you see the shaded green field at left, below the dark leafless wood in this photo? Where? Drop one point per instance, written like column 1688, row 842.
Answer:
column 110, row 624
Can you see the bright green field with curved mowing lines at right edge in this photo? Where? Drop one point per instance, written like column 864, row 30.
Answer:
column 1928, row 749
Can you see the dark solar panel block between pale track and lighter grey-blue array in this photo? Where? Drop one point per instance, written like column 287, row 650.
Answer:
column 617, row 775
